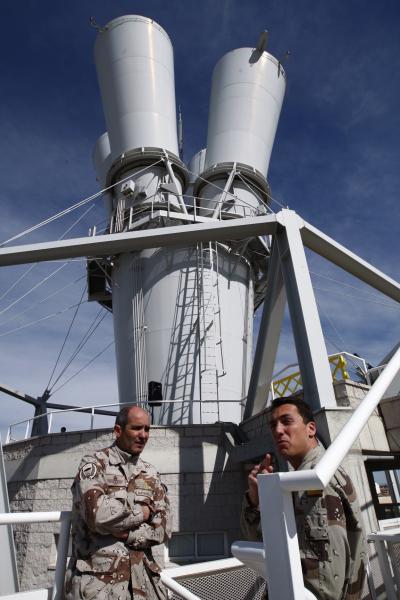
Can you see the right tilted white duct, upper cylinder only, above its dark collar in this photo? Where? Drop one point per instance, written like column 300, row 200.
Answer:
column 246, row 99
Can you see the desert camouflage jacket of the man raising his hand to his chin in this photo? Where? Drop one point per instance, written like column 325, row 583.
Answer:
column 331, row 541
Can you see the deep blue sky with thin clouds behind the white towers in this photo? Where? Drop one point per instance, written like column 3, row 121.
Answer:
column 335, row 160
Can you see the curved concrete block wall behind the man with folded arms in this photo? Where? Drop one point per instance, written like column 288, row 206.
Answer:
column 205, row 486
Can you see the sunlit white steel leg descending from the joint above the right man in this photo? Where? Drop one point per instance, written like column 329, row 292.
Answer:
column 309, row 340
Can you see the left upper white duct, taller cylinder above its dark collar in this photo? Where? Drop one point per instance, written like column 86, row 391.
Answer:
column 134, row 61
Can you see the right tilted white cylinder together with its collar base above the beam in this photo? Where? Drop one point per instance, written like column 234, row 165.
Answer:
column 247, row 92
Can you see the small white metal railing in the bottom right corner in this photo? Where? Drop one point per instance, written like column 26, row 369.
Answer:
column 390, row 572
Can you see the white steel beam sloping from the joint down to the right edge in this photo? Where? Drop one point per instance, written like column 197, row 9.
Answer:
column 339, row 255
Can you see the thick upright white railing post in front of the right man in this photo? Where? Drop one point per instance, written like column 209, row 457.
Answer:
column 280, row 540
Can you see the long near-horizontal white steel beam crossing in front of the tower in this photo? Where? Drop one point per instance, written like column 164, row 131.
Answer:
column 116, row 243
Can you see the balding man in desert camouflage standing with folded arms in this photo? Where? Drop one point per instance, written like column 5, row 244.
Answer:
column 120, row 510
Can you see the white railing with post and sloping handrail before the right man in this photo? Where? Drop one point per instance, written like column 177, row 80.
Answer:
column 279, row 533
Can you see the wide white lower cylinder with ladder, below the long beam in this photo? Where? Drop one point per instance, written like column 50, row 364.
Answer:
column 185, row 321
